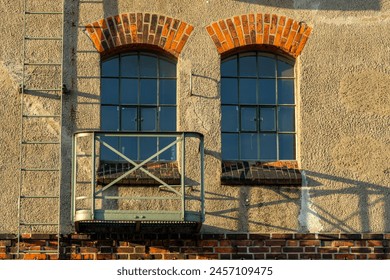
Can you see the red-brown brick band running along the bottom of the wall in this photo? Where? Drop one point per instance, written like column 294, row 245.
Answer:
column 201, row 246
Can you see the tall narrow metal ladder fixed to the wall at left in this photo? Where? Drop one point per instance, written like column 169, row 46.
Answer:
column 41, row 105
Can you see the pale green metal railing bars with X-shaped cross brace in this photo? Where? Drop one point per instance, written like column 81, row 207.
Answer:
column 97, row 194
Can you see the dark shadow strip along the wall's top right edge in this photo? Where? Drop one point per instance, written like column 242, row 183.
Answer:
column 335, row 5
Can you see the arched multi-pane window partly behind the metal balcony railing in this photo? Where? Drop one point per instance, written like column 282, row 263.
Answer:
column 138, row 94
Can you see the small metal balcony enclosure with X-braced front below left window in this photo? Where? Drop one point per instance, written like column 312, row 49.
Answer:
column 118, row 177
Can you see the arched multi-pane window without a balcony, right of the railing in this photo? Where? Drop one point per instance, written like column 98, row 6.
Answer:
column 258, row 107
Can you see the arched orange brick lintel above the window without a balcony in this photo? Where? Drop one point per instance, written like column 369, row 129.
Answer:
column 259, row 29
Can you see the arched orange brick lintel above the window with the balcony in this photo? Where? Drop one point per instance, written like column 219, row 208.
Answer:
column 164, row 32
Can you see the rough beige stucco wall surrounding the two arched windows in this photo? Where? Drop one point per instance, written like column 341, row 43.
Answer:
column 342, row 81
